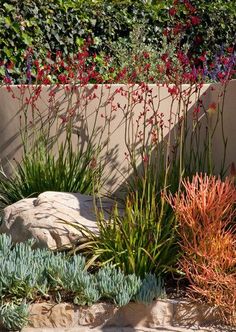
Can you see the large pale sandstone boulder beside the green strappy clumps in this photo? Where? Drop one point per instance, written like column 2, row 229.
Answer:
column 46, row 218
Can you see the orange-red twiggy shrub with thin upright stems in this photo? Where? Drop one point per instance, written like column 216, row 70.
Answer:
column 206, row 215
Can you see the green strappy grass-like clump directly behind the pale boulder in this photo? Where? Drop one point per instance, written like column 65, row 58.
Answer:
column 42, row 170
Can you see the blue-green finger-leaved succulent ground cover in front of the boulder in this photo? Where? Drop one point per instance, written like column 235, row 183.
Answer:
column 29, row 276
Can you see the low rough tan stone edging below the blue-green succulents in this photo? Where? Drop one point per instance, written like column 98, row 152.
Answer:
column 161, row 315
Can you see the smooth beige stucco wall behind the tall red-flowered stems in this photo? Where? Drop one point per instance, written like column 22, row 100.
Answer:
column 107, row 114
